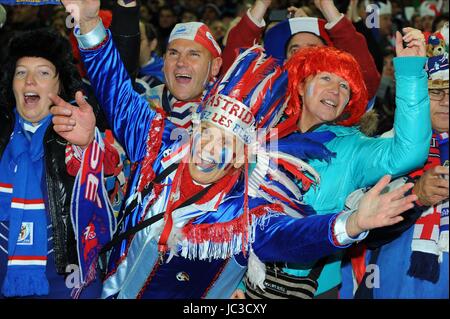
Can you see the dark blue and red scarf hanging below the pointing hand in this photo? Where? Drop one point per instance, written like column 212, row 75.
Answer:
column 91, row 212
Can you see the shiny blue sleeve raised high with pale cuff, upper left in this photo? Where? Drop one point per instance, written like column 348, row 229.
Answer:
column 127, row 113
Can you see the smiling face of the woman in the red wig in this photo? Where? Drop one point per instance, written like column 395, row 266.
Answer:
column 324, row 97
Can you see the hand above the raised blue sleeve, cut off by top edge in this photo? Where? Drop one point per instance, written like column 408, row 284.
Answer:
column 85, row 13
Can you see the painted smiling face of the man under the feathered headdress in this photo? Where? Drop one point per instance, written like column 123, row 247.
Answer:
column 214, row 154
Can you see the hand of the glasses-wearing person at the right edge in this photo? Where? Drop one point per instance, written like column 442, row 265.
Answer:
column 432, row 188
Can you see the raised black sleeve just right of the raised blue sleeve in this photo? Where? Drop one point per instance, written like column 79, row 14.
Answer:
column 126, row 35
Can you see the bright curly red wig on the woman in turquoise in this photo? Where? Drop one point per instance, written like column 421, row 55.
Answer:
column 310, row 61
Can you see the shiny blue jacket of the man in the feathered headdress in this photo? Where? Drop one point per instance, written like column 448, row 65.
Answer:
column 134, row 267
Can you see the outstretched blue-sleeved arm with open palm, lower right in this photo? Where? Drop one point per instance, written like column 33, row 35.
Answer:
column 306, row 240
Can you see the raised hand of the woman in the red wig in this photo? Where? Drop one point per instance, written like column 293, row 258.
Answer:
column 415, row 43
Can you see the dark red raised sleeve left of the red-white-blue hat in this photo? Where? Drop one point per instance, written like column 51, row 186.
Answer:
column 243, row 35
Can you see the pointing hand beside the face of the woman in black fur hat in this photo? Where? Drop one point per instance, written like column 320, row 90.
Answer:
column 74, row 124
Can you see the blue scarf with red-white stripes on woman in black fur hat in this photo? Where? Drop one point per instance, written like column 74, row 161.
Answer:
column 22, row 206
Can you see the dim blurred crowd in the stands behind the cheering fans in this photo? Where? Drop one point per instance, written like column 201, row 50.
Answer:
column 159, row 17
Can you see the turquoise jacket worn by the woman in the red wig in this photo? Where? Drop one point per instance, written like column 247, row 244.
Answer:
column 361, row 161
